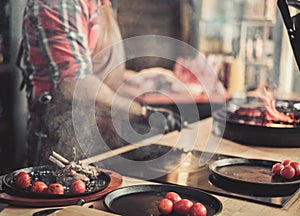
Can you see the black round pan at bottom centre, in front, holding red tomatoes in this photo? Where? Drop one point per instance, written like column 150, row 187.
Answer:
column 143, row 199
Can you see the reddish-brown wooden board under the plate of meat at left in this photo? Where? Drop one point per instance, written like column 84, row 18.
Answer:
column 116, row 181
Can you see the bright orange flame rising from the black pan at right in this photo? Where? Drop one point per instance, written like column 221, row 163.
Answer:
column 272, row 114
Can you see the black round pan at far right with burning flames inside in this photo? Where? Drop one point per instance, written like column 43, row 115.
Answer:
column 261, row 121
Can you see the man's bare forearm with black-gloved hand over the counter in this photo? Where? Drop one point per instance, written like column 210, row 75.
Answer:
column 91, row 88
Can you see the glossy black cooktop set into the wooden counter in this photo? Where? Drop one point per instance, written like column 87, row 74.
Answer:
column 189, row 173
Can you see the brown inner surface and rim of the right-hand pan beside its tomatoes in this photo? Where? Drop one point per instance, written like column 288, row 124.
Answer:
column 250, row 171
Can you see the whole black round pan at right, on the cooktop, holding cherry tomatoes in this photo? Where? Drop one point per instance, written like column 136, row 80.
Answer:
column 251, row 176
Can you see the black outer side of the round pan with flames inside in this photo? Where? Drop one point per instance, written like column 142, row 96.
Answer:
column 255, row 134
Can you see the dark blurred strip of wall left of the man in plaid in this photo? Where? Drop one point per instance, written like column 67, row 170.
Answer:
column 12, row 100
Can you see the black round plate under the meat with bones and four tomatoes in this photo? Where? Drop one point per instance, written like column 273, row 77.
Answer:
column 45, row 174
